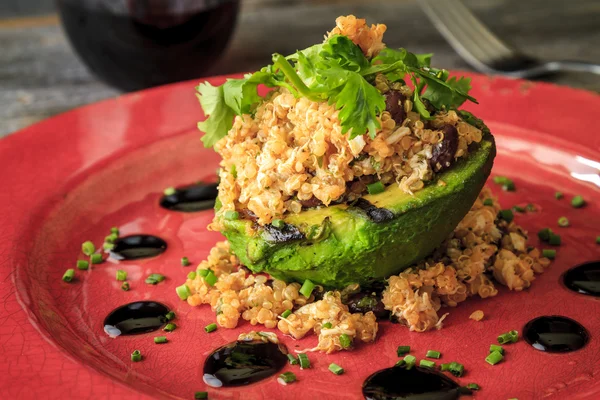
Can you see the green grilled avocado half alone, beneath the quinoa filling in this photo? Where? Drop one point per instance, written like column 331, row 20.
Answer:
column 344, row 244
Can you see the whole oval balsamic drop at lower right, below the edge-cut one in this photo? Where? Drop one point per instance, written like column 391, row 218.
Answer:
column 555, row 334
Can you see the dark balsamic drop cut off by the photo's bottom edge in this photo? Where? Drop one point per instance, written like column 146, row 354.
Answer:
column 415, row 383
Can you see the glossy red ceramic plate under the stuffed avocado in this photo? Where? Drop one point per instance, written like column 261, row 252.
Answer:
column 72, row 177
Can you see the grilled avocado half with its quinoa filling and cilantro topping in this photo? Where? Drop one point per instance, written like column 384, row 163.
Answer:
column 353, row 167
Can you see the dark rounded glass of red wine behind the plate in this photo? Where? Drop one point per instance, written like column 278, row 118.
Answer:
column 136, row 44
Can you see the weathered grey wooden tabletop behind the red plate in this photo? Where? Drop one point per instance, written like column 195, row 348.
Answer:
column 41, row 76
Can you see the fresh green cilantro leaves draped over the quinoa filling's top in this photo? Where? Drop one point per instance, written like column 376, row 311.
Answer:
column 336, row 71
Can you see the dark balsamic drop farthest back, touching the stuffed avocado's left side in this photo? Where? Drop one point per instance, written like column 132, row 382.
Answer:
column 191, row 198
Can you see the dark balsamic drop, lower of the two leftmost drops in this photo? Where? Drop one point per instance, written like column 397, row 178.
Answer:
column 135, row 318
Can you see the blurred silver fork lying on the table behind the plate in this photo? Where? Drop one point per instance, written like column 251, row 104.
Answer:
column 484, row 51
